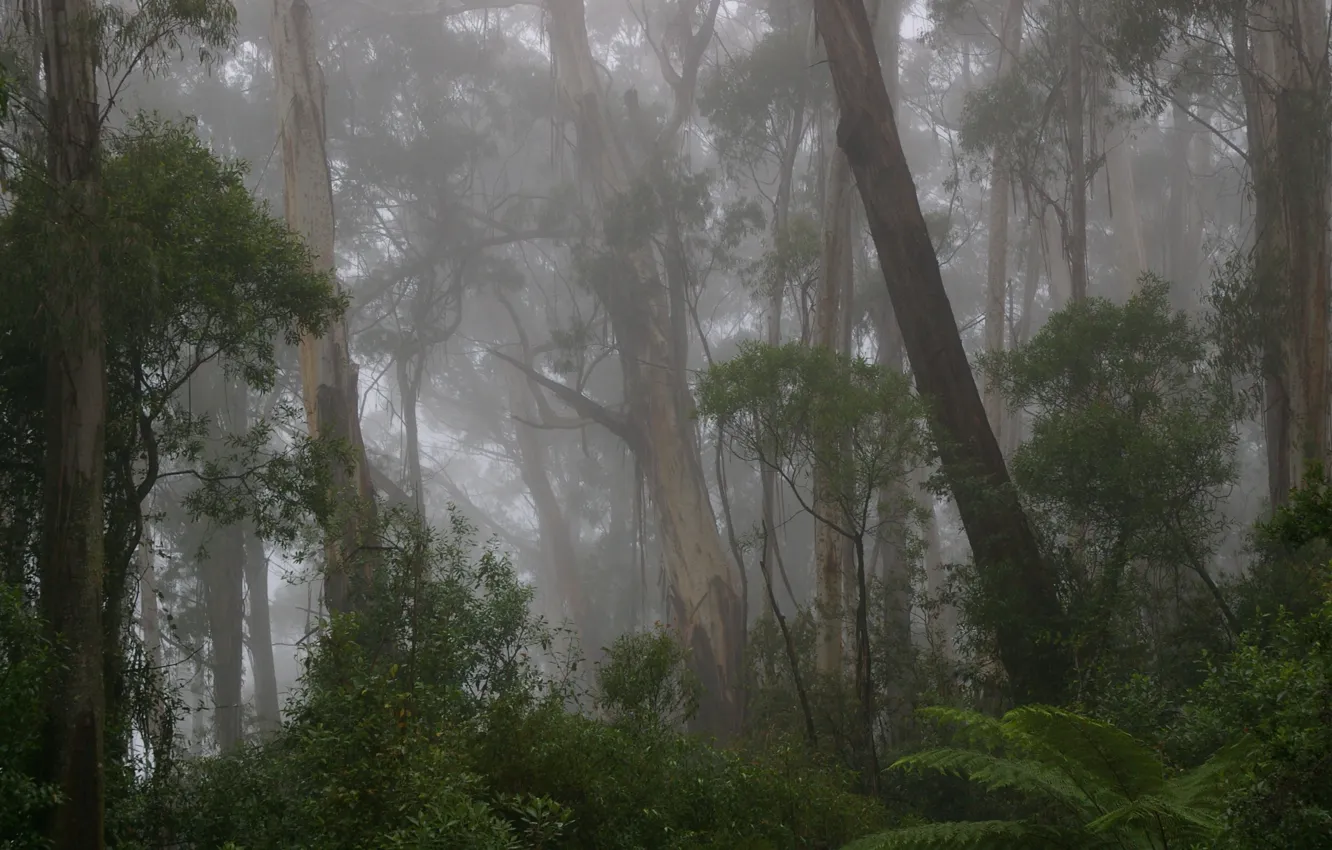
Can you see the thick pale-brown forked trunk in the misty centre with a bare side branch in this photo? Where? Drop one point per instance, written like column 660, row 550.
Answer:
column 707, row 606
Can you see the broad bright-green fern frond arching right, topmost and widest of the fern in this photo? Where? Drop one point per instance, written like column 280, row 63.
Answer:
column 1110, row 756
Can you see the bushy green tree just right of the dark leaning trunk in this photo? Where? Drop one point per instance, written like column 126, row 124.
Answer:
column 1132, row 448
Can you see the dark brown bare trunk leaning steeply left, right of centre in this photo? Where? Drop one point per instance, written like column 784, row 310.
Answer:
column 1013, row 571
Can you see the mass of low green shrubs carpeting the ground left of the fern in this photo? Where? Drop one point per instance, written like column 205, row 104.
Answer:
column 440, row 721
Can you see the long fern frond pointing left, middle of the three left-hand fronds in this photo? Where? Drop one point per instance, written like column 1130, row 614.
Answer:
column 1029, row 777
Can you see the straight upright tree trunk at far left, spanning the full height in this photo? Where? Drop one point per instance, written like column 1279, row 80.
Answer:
column 73, row 559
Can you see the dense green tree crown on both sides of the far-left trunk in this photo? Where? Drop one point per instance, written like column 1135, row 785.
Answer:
column 196, row 274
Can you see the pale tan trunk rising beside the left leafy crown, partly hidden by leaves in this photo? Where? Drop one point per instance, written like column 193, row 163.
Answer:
column 328, row 376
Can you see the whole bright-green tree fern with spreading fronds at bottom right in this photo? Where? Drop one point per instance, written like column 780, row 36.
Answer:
column 1073, row 783
